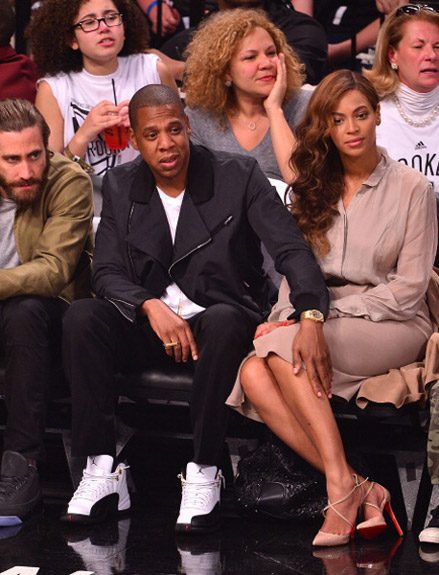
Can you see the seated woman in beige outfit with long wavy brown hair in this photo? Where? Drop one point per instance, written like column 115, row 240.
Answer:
column 372, row 223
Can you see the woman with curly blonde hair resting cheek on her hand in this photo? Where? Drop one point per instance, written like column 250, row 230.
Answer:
column 243, row 89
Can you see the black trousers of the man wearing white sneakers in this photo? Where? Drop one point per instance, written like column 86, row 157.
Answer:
column 99, row 342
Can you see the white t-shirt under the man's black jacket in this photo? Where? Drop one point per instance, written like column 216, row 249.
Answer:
column 173, row 297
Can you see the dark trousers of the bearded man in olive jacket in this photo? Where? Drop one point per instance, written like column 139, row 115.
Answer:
column 30, row 334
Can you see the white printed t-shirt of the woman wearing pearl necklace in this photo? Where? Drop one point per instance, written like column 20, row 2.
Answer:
column 415, row 147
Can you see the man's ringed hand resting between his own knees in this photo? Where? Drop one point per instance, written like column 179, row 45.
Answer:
column 174, row 331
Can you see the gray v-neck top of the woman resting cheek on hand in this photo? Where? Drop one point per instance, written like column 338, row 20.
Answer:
column 207, row 132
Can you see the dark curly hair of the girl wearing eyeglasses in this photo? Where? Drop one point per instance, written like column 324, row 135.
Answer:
column 51, row 34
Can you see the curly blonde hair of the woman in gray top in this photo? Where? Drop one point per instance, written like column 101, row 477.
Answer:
column 211, row 50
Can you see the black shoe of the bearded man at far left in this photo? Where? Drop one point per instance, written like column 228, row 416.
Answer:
column 20, row 492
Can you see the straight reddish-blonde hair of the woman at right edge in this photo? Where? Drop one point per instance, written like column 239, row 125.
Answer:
column 382, row 76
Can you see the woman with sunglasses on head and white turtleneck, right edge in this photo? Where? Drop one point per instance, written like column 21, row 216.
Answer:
column 406, row 76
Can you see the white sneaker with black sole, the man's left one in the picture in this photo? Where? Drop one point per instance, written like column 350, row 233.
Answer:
column 101, row 493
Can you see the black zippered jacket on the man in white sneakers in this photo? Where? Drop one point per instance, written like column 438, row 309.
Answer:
column 229, row 207
